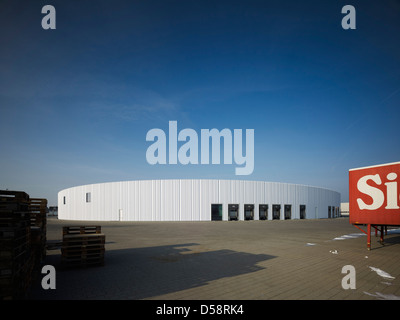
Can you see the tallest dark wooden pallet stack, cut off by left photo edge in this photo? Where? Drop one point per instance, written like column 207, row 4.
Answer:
column 16, row 259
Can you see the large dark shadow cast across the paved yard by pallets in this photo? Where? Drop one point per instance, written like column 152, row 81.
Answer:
column 141, row 273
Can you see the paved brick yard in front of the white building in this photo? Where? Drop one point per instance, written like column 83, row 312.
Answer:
column 245, row 260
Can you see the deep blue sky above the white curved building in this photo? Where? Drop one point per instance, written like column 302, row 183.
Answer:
column 76, row 102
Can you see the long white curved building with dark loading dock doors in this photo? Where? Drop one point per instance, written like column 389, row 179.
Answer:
column 196, row 200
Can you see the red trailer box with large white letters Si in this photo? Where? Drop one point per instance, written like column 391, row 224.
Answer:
column 374, row 194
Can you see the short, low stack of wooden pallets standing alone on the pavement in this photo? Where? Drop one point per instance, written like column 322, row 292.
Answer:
column 82, row 246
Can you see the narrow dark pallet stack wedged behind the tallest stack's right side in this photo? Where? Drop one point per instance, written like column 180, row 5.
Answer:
column 38, row 210
